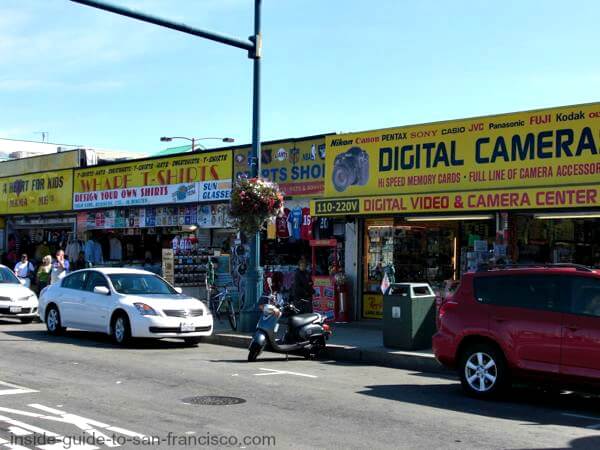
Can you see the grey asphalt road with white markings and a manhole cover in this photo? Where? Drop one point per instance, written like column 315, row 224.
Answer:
column 81, row 385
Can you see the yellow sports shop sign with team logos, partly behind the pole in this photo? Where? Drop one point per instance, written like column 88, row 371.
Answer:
column 297, row 166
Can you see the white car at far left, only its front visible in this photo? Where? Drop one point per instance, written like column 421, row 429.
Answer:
column 16, row 301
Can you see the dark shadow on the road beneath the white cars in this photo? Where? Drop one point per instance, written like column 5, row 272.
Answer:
column 90, row 339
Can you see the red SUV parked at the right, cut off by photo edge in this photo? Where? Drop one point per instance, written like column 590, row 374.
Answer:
column 540, row 322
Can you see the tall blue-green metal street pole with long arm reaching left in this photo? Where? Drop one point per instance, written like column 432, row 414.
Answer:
column 249, row 315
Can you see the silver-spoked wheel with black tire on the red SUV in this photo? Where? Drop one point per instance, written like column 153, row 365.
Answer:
column 483, row 371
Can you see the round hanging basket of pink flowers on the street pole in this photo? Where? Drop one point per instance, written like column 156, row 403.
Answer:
column 253, row 203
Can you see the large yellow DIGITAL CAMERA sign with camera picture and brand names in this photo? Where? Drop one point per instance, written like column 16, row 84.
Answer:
column 557, row 147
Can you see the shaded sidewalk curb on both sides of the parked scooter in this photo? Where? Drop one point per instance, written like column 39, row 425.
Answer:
column 421, row 362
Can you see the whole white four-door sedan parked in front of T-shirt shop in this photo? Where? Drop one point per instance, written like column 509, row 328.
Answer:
column 123, row 303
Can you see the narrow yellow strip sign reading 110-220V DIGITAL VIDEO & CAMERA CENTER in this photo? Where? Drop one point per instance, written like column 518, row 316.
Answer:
column 533, row 198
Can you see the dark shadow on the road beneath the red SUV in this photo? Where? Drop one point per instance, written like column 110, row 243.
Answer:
column 519, row 404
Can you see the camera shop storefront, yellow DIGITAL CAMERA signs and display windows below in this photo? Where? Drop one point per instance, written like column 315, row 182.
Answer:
column 437, row 200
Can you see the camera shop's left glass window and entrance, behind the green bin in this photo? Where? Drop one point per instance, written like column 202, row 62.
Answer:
column 435, row 252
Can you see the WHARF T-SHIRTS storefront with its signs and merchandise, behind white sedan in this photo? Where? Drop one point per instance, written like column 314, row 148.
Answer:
column 166, row 215
